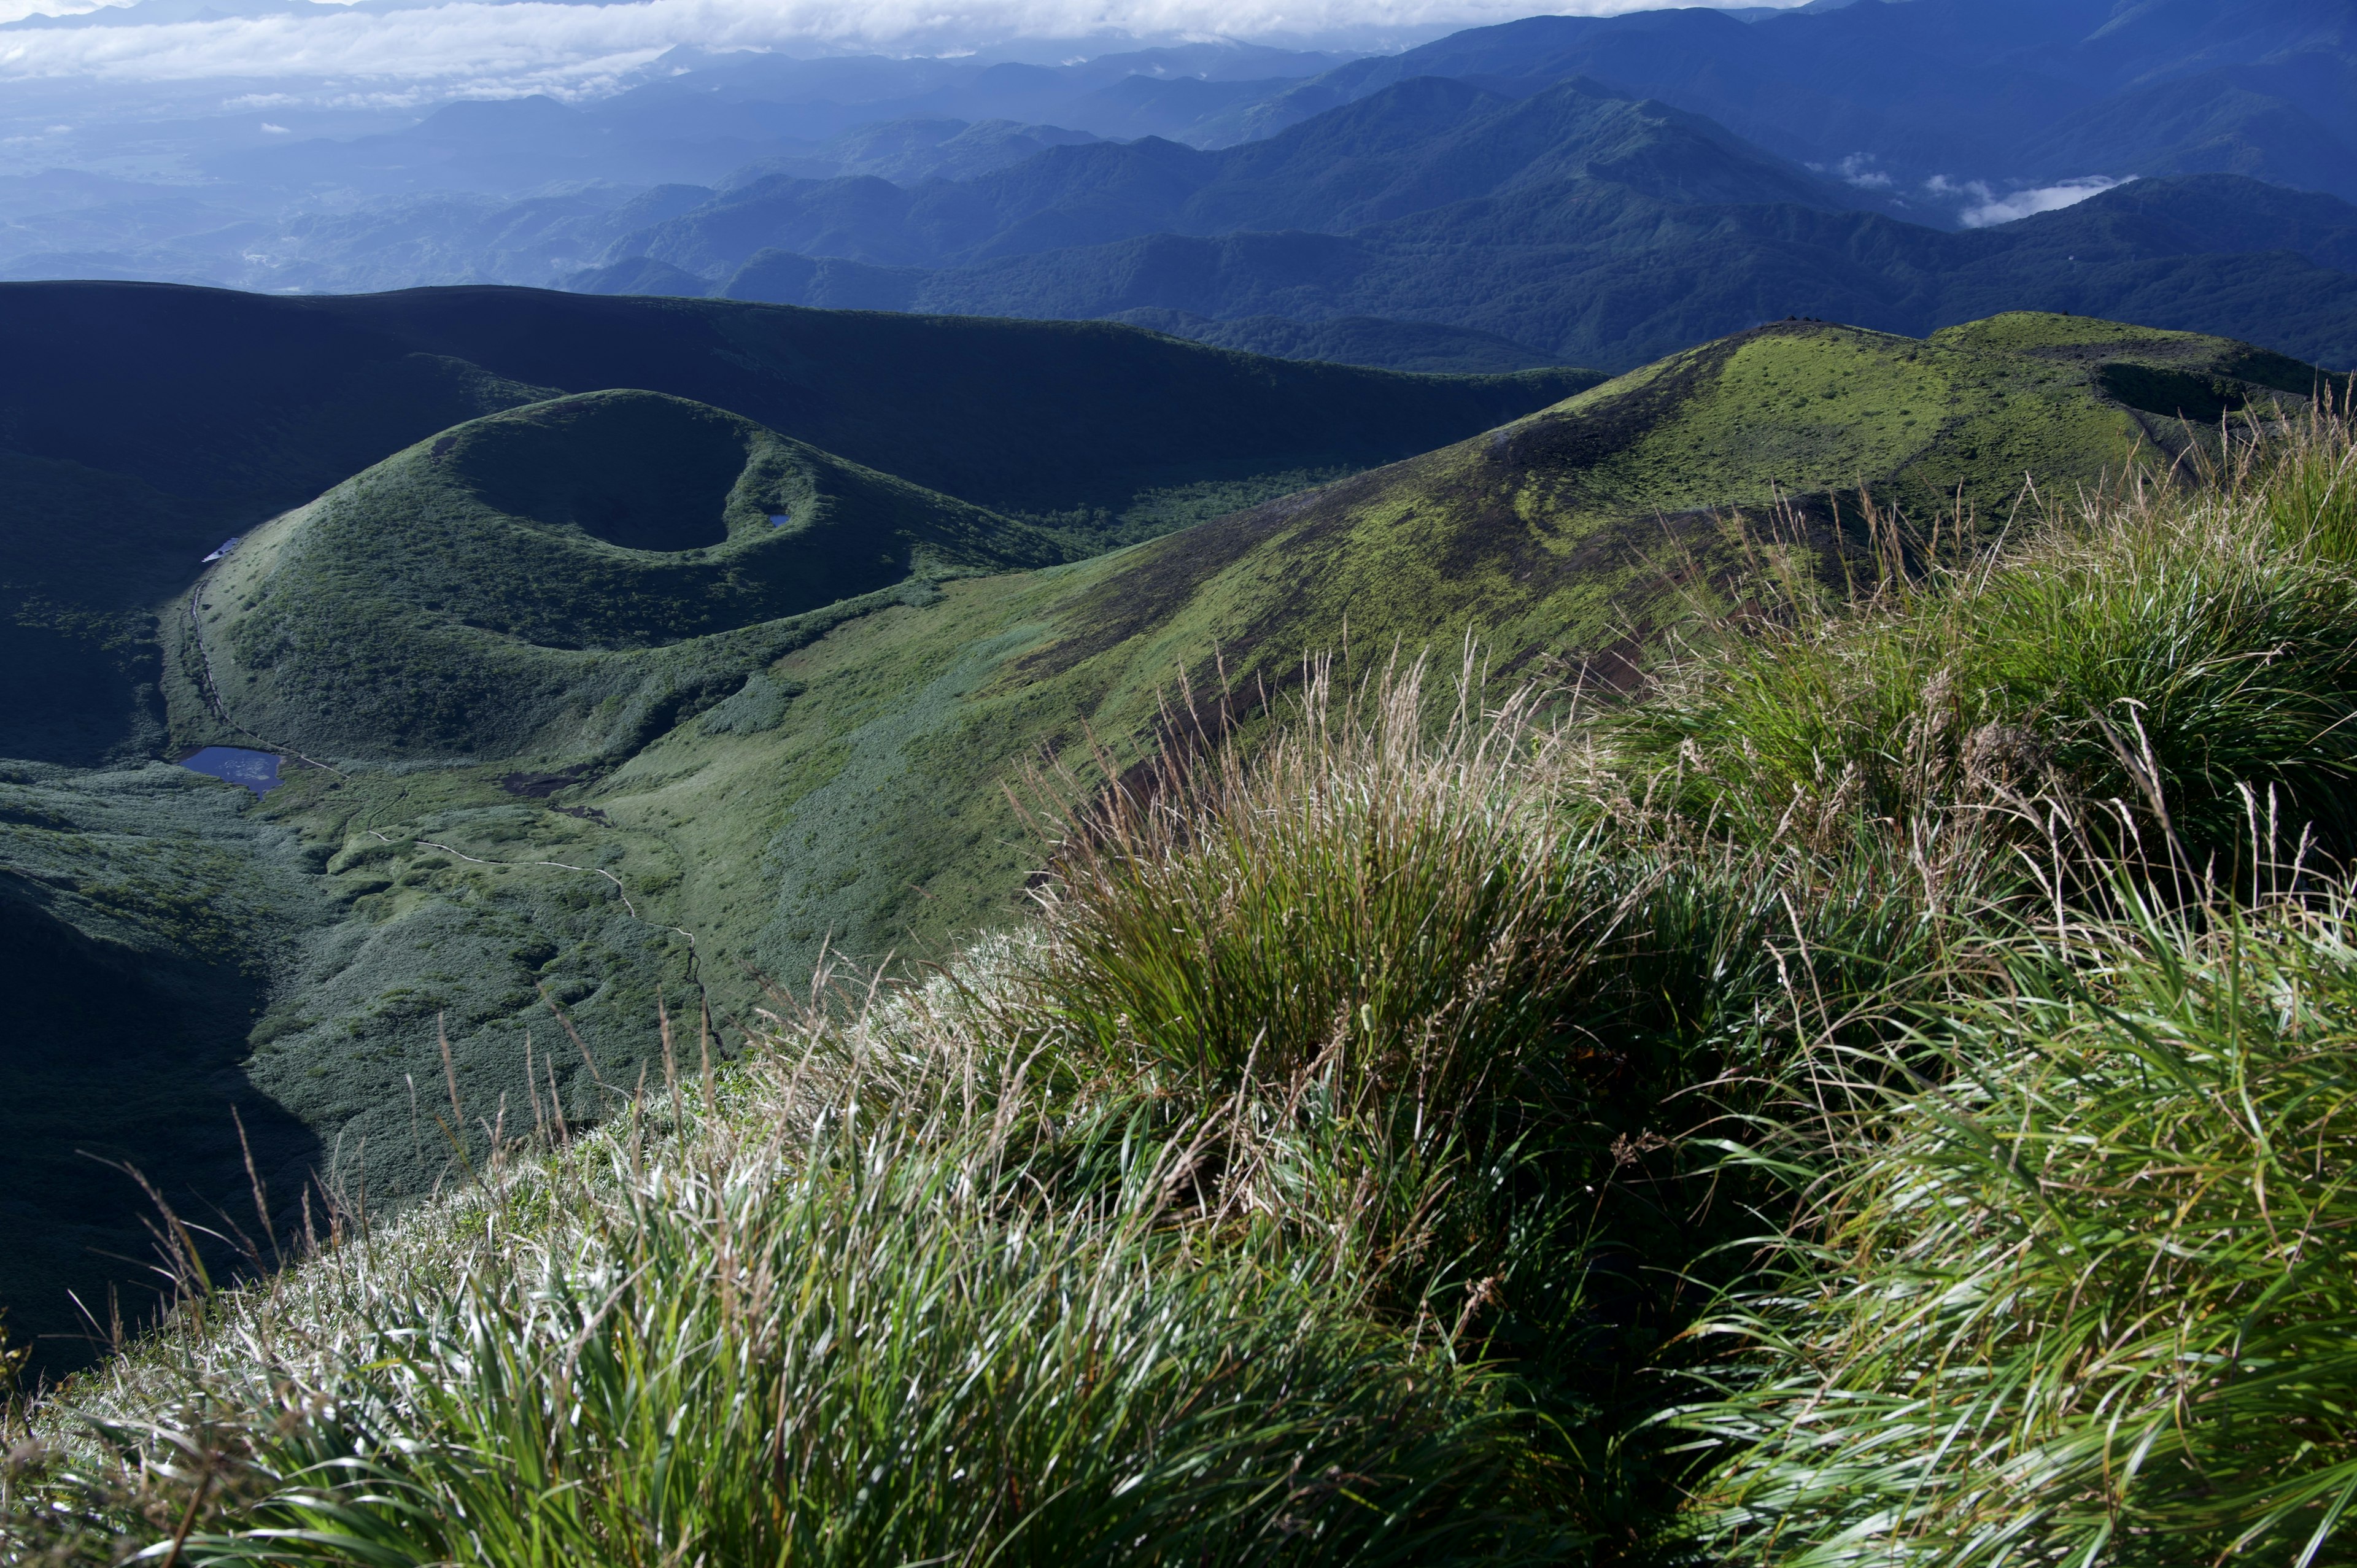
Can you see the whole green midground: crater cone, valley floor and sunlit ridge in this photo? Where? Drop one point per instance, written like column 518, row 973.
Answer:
column 597, row 734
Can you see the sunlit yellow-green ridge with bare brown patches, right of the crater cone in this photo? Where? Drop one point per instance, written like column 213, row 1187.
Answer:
column 873, row 812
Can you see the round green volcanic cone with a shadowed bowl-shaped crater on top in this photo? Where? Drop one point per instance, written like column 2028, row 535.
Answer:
column 560, row 579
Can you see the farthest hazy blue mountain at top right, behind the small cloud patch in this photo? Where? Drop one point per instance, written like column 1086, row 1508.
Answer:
column 1899, row 93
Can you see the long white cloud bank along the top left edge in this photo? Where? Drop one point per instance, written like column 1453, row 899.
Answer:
column 550, row 46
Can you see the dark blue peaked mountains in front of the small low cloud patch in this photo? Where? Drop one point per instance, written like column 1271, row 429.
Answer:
column 1573, row 225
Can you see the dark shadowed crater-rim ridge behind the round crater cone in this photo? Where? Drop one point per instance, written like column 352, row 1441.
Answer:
column 140, row 426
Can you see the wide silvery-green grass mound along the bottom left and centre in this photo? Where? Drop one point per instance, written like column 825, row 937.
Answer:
column 859, row 1340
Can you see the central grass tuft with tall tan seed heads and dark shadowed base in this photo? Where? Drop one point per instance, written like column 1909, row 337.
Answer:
column 1439, row 1003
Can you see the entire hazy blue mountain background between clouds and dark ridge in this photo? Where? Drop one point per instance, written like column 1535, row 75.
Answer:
column 1559, row 190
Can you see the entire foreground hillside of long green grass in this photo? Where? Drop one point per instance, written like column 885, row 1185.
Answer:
column 1873, row 1093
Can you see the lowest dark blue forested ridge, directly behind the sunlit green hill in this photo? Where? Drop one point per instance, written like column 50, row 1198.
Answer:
column 1599, row 275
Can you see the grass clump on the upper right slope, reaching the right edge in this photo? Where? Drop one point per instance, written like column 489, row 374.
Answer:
column 2151, row 647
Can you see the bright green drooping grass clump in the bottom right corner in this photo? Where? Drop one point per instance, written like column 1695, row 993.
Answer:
column 2092, row 1298
